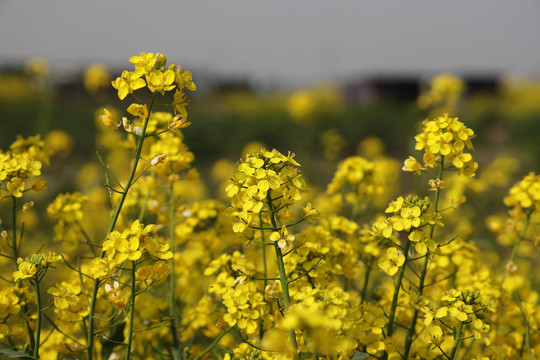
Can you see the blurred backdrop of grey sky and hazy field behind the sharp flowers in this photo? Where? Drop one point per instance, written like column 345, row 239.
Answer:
column 322, row 79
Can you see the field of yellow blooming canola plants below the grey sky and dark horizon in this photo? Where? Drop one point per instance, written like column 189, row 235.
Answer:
column 134, row 253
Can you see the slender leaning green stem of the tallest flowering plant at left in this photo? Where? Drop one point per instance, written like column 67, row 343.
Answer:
column 90, row 335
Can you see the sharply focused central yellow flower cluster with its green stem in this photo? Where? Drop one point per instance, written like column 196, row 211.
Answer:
column 264, row 187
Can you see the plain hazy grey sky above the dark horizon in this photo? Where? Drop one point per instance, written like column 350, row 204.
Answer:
column 281, row 40
